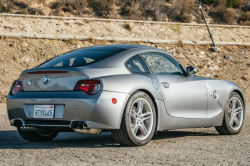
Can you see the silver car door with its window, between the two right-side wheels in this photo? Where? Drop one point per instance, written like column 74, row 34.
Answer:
column 184, row 96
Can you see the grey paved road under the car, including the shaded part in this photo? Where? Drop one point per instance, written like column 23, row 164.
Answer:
column 177, row 147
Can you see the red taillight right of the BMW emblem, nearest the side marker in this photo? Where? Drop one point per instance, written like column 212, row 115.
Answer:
column 89, row 86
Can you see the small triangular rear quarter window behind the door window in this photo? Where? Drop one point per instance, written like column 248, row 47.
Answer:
column 136, row 65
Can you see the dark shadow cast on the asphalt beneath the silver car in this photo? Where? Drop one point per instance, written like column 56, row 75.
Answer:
column 12, row 140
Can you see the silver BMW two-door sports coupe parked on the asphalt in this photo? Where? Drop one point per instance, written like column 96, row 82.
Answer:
column 131, row 91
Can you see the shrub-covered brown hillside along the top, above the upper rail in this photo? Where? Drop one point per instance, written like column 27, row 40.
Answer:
column 217, row 11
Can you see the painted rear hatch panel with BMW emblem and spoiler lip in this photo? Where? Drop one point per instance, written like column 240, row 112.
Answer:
column 51, row 79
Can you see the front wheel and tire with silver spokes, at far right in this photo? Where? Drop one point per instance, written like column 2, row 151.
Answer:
column 230, row 126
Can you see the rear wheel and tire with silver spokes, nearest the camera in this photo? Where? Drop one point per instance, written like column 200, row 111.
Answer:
column 137, row 125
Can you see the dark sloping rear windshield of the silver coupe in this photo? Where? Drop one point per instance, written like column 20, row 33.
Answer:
column 81, row 57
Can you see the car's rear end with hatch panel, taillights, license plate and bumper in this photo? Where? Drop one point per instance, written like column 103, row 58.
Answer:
column 63, row 98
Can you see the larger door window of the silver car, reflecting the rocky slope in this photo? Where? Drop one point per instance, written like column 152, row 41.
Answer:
column 162, row 64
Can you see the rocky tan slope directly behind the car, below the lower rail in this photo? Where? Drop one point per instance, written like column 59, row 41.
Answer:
column 232, row 63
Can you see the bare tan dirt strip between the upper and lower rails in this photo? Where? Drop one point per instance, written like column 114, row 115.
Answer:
column 22, row 25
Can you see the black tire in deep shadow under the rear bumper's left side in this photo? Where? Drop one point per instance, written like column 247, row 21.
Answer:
column 45, row 136
